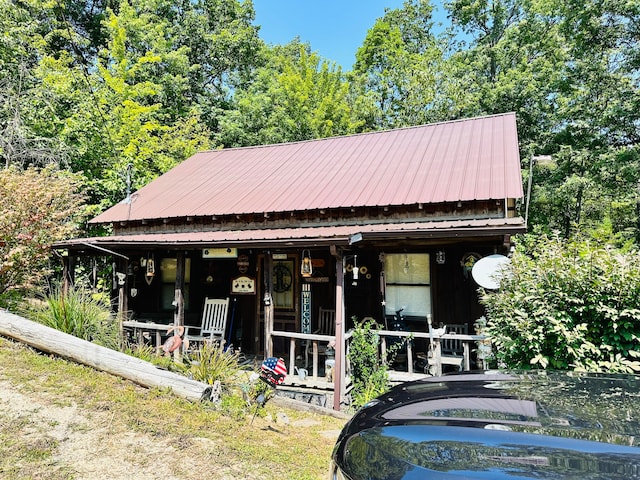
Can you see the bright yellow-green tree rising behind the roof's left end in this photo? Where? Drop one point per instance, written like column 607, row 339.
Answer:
column 131, row 110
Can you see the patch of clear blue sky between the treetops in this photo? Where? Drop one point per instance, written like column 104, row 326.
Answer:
column 335, row 29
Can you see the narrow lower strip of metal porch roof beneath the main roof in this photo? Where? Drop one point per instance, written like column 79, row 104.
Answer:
column 309, row 236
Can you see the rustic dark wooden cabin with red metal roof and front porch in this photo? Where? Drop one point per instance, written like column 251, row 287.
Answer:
column 384, row 225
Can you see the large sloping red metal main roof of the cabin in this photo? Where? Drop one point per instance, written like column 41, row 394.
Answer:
column 472, row 159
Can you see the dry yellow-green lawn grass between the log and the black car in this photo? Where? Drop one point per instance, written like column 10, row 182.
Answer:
column 252, row 448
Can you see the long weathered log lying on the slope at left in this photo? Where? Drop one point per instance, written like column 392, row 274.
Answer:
column 101, row 358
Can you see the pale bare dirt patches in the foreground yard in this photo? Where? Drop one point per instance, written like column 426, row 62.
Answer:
column 95, row 444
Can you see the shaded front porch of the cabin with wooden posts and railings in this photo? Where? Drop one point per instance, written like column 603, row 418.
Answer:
column 274, row 304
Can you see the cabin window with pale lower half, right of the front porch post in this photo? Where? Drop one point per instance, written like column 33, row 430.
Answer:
column 408, row 284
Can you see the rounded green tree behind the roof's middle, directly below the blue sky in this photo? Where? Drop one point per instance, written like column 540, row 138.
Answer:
column 295, row 96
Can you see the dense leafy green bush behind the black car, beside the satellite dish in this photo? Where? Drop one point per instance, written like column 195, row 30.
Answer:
column 567, row 305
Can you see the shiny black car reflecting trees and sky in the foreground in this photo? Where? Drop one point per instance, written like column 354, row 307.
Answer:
column 497, row 425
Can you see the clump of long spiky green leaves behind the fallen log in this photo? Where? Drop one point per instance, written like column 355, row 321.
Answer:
column 76, row 312
